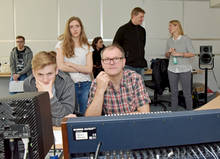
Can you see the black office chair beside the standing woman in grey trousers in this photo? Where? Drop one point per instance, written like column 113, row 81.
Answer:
column 159, row 81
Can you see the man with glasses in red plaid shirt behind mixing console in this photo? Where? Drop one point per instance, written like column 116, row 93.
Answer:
column 115, row 90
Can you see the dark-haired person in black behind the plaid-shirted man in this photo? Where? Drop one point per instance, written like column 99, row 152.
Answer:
column 98, row 46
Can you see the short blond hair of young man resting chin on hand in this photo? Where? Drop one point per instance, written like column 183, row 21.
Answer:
column 42, row 59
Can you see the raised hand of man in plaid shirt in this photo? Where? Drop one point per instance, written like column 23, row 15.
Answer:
column 102, row 81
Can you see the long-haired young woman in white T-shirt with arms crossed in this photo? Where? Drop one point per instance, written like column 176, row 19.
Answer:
column 74, row 55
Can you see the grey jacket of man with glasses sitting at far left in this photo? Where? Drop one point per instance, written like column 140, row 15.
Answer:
column 28, row 55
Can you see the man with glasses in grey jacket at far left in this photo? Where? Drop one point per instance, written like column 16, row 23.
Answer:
column 20, row 60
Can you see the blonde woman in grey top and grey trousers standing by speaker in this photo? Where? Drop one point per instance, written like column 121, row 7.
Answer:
column 179, row 50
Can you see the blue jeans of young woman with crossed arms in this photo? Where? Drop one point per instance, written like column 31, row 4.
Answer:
column 82, row 94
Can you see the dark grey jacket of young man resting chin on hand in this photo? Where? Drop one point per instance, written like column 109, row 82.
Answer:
column 63, row 103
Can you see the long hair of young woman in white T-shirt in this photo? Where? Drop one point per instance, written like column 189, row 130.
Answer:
column 68, row 43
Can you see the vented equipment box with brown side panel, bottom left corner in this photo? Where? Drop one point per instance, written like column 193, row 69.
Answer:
column 26, row 115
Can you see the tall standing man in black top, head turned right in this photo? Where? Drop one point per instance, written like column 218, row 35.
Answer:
column 132, row 38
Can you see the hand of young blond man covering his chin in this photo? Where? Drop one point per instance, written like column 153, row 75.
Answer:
column 41, row 87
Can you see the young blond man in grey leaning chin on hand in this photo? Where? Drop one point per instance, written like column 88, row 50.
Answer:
column 60, row 86
